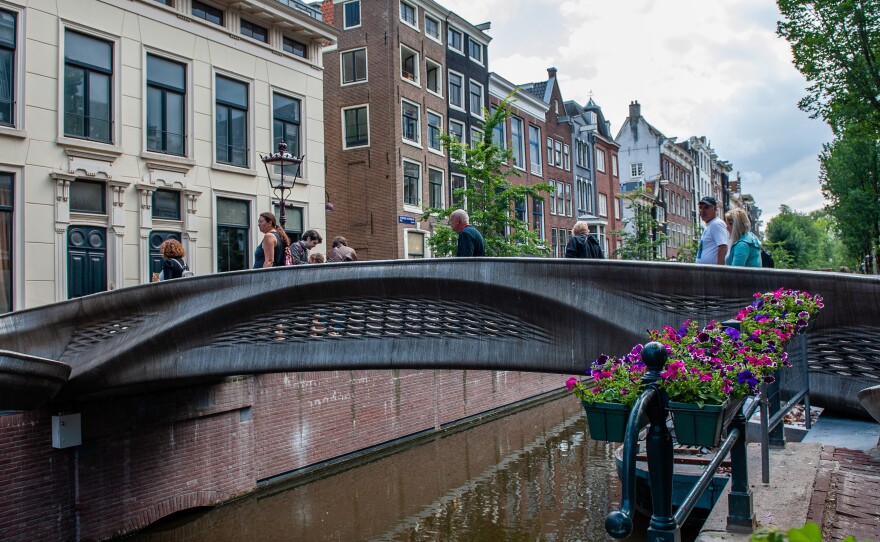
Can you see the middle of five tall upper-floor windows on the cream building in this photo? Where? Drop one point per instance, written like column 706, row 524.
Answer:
column 166, row 106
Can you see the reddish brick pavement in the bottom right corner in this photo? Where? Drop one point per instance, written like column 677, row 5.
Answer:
column 846, row 497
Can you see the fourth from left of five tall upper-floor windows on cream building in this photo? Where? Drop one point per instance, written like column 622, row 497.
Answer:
column 232, row 122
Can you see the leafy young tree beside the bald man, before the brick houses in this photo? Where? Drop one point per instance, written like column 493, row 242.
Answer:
column 489, row 197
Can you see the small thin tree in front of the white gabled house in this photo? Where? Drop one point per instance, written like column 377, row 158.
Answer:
column 642, row 236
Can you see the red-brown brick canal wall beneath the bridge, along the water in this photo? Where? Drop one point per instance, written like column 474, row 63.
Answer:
column 146, row 456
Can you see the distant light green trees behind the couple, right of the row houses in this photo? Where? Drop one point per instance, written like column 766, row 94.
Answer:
column 804, row 241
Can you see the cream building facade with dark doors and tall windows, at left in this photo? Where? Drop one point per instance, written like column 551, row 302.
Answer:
column 127, row 122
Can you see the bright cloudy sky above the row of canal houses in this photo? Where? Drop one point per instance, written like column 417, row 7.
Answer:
column 714, row 69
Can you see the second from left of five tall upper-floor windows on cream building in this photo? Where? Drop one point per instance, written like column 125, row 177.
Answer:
column 88, row 88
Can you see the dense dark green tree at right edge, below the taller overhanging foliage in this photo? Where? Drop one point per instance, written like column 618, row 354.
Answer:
column 850, row 176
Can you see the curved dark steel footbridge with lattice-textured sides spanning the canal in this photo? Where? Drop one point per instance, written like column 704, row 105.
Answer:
column 524, row 314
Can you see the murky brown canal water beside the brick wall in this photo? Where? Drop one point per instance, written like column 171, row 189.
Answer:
column 534, row 475
